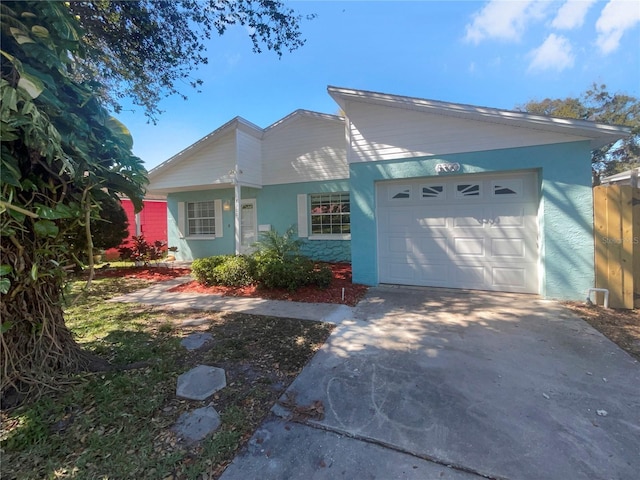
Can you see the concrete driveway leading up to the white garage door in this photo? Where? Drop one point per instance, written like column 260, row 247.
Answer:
column 447, row 384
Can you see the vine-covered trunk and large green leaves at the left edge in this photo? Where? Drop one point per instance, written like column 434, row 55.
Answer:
column 60, row 148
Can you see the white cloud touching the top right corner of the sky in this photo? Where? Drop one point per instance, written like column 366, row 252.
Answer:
column 616, row 18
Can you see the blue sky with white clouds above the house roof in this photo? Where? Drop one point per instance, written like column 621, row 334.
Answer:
column 498, row 53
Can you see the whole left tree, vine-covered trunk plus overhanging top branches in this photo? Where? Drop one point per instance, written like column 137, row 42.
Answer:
column 63, row 66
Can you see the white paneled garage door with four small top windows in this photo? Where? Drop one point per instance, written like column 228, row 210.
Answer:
column 463, row 231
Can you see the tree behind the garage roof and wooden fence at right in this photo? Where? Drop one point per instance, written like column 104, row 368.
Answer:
column 599, row 105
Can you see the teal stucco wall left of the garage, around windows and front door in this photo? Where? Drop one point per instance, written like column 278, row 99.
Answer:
column 276, row 205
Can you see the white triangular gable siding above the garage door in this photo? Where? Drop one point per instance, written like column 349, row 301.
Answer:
column 388, row 133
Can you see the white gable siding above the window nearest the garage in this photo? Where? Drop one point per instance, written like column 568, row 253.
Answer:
column 304, row 149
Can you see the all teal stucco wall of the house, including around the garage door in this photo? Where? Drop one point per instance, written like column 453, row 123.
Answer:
column 565, row 212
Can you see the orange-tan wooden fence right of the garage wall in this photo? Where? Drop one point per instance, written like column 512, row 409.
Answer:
column 617, row 243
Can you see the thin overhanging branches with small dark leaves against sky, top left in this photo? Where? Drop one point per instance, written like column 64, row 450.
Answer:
column 144, row 49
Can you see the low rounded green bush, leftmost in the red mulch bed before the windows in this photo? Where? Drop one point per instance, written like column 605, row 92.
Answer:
column 228, row 270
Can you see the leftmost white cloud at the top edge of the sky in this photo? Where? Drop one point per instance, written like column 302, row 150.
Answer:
column 504, row 20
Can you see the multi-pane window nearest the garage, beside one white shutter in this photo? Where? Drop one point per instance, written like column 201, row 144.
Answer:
column 330, row 214
